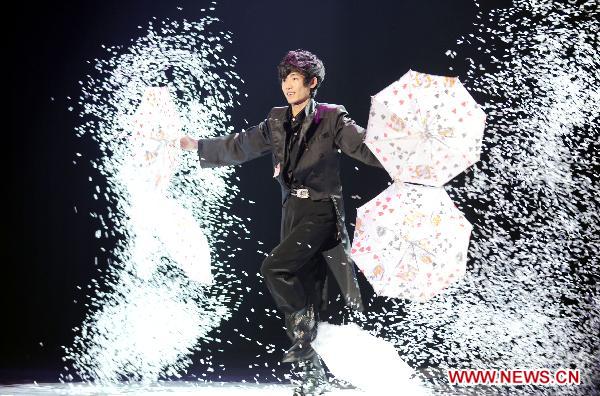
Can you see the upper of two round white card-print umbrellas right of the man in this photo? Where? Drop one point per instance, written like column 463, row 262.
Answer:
column 425, row 129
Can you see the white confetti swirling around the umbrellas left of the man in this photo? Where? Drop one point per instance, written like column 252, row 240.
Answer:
column 146, row 316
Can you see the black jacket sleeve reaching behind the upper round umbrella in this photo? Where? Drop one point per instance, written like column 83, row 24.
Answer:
column 349, row 137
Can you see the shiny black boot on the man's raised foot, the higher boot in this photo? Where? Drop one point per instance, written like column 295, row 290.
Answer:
column 301, row 326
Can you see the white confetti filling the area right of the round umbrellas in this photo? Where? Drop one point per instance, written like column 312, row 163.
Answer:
column 530, row 298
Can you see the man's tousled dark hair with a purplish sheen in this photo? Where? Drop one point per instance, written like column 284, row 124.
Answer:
column 305, row 63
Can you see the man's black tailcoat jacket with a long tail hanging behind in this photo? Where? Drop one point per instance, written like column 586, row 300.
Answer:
column 327, row 129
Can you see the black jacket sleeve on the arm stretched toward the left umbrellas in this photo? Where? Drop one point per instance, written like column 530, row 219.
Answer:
column 235, row 148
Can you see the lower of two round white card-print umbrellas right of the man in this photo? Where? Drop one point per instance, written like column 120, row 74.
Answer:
column 411, row 241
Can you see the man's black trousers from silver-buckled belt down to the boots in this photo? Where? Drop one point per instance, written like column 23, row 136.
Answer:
column 295, row 270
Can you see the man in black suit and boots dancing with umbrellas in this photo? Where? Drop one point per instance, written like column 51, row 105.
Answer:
column 303, row 140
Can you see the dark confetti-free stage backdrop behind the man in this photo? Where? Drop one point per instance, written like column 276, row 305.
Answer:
column 48, row 249
